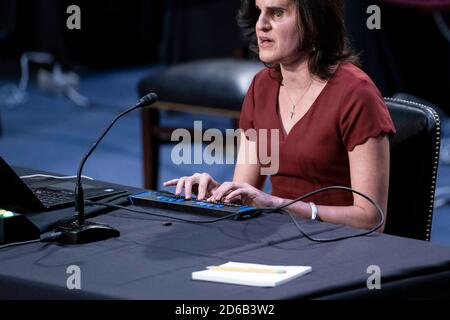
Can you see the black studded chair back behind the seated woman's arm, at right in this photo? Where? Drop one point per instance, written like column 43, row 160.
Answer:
column 413, row 170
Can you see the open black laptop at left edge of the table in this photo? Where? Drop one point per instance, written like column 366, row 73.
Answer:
column 48, row 194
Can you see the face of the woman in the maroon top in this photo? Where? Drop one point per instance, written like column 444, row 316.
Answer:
column 278, row 31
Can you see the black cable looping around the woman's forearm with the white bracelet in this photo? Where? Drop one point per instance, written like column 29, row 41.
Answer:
column 364, row 233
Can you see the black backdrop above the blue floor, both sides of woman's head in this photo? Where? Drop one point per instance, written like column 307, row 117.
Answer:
column 408, row 54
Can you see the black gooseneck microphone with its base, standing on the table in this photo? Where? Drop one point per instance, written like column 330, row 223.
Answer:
column 81, row 231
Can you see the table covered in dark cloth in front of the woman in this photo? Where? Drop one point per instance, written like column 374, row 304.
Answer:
column 154, row 257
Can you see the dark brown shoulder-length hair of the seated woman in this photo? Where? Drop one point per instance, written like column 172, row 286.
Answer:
column 322, row 31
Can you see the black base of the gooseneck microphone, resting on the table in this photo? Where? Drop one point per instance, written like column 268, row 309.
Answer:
column 74, row 233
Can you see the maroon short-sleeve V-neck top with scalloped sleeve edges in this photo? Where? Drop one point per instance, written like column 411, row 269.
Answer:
column 348, row 111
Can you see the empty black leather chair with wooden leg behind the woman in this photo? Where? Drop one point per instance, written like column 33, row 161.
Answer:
column 214, row 87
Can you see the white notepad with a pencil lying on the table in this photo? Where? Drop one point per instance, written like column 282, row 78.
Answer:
column 257, row 278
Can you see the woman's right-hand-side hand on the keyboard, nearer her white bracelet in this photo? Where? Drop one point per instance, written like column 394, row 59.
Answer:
column 244, row 193
